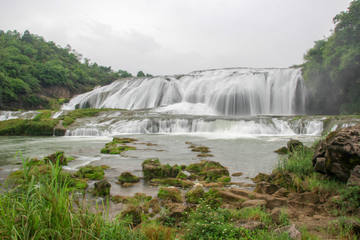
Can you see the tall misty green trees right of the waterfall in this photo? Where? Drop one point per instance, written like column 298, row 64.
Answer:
column 332, row 67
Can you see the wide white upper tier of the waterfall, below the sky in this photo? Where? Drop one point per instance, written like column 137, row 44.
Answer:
column 234, row 91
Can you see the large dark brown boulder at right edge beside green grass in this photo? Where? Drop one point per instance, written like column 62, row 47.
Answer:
column 339, row 154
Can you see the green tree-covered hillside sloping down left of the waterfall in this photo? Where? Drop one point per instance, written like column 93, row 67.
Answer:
column 35, row 73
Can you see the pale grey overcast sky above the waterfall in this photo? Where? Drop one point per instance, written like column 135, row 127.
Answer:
column 164, row 37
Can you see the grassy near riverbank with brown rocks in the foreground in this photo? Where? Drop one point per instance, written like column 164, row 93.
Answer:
column 218, row 212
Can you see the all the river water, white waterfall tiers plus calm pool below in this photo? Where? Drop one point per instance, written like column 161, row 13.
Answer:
column 242, row 115
